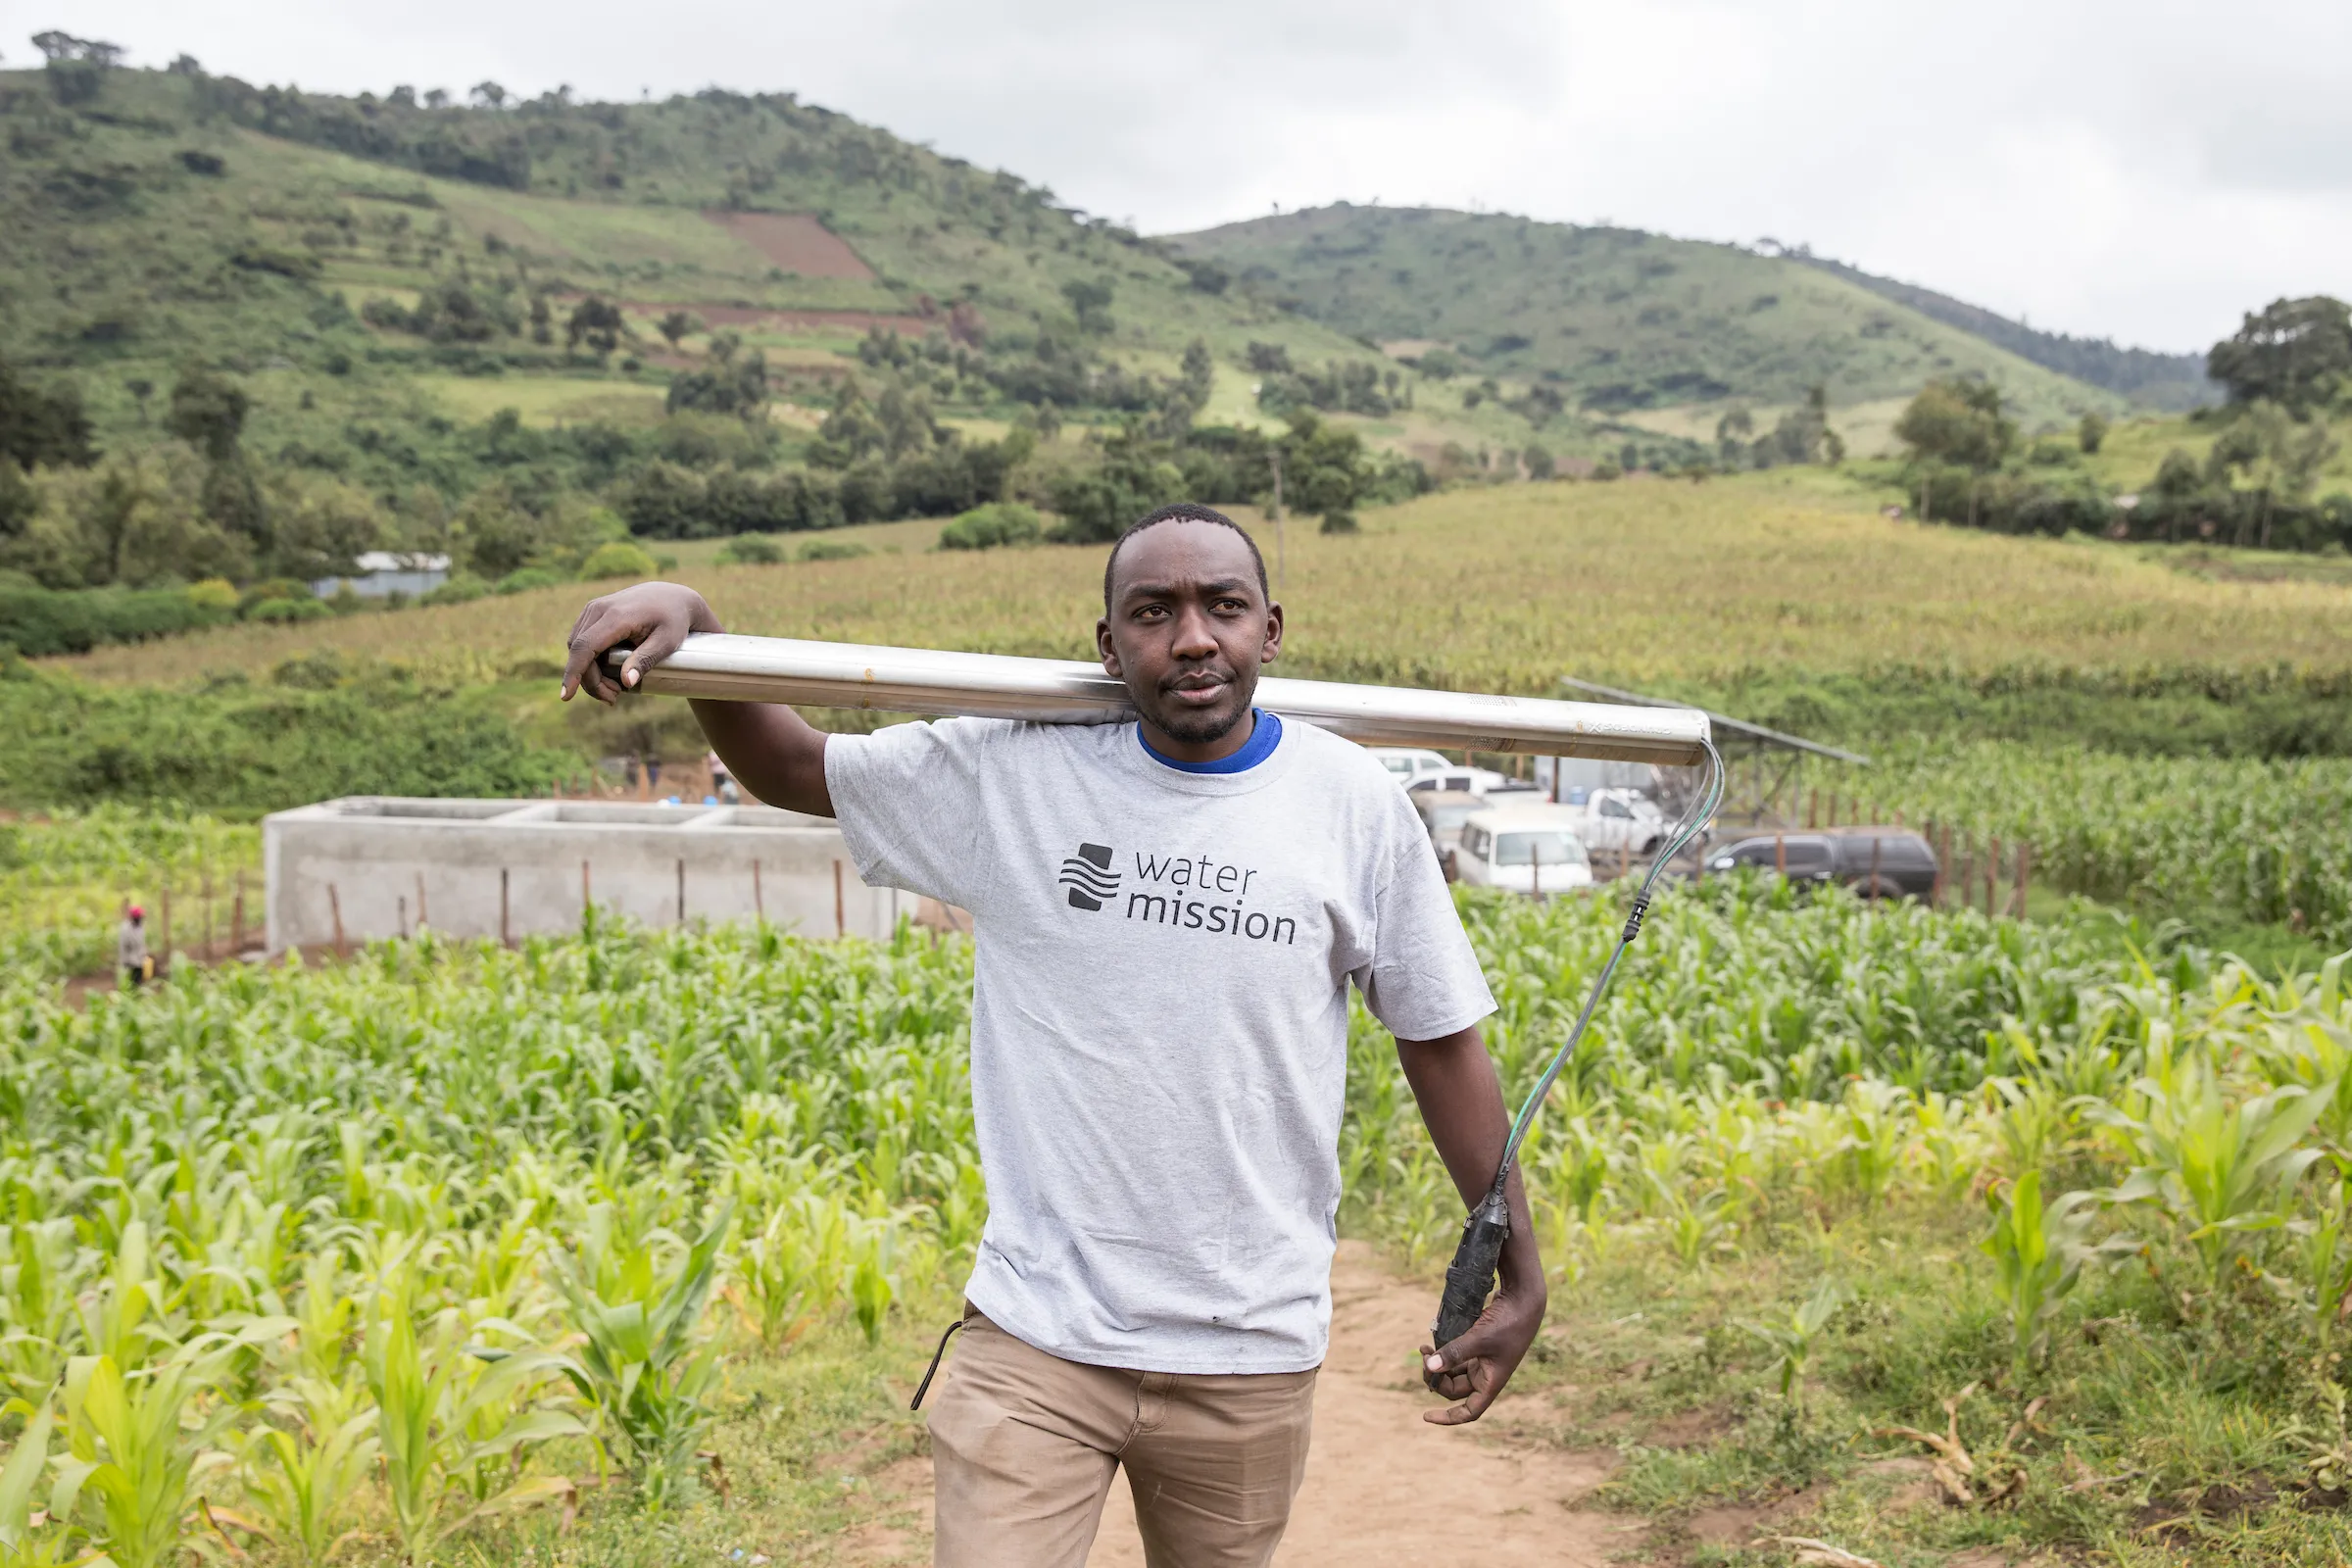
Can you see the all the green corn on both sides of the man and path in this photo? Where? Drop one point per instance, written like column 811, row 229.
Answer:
column 394, row 1254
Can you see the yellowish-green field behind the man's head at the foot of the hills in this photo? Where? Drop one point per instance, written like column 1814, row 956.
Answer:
column 1492, row 589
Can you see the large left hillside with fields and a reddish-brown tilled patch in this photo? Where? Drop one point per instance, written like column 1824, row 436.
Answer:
column 293, row 241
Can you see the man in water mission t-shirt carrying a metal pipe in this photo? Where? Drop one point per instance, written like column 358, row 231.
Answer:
column 1168, row 918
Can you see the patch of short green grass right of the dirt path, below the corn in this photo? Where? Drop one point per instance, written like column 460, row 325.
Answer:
column 2156, row 1445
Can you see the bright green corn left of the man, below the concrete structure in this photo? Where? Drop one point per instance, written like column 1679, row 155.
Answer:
column 406, row 1247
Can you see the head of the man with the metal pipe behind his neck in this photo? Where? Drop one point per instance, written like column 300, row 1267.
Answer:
column 1189, row 629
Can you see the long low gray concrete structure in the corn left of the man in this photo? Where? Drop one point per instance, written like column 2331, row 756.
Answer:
column 512, row 869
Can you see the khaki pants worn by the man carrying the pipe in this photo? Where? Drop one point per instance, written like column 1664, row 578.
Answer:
column 1024, row 1447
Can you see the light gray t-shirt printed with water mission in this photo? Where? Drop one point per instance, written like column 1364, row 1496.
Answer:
column 1161, row 1014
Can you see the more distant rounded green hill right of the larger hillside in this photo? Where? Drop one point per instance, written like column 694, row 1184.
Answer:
column 1617, row 319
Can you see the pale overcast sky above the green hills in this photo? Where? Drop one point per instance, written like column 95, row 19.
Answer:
column 2141, row 170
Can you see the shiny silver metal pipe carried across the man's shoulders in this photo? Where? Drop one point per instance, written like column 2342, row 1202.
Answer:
column 1069, row 692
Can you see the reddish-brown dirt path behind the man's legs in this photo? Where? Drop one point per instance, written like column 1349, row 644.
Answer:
column 1384, row 1487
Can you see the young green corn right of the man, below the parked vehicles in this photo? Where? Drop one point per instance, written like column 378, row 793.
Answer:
column 1770, row 1057
